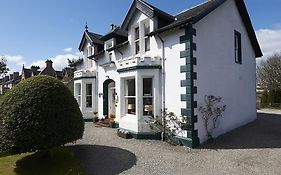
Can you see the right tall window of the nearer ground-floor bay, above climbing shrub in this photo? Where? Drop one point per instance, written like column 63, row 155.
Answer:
column 147, row 97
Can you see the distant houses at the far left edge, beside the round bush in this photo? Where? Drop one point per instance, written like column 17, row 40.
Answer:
column 8, row 82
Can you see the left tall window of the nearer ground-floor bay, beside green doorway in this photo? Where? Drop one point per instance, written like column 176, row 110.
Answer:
column 130, row 96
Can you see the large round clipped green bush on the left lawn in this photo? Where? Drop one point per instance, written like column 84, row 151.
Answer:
column 37, row 114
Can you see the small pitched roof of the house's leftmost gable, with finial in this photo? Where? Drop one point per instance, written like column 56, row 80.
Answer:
column 91, row 37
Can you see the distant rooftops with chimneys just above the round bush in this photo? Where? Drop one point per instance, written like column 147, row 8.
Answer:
column 48, row 70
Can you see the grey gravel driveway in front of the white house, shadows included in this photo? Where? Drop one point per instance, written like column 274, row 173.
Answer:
column 252, row 149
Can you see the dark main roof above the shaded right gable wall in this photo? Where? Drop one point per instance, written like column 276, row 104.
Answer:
column 195, row 14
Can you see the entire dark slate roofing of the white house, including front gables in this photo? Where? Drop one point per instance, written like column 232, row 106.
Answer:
column 167, row 22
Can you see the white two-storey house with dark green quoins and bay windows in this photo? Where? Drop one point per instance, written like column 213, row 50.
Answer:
column 156, row 62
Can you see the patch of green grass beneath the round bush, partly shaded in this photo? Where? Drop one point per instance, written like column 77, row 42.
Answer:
column 60, row 161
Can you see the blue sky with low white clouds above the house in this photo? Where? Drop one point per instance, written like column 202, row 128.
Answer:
column 32, row 31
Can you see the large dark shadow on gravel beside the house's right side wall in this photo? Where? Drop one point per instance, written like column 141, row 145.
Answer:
column 265, row 132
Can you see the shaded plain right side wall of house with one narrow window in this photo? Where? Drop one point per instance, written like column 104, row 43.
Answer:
column 217, row 72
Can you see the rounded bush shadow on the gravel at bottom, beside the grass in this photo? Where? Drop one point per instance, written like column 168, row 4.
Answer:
column 97, row 159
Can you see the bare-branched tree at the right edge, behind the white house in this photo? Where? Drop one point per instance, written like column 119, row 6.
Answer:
column 269, row 73
